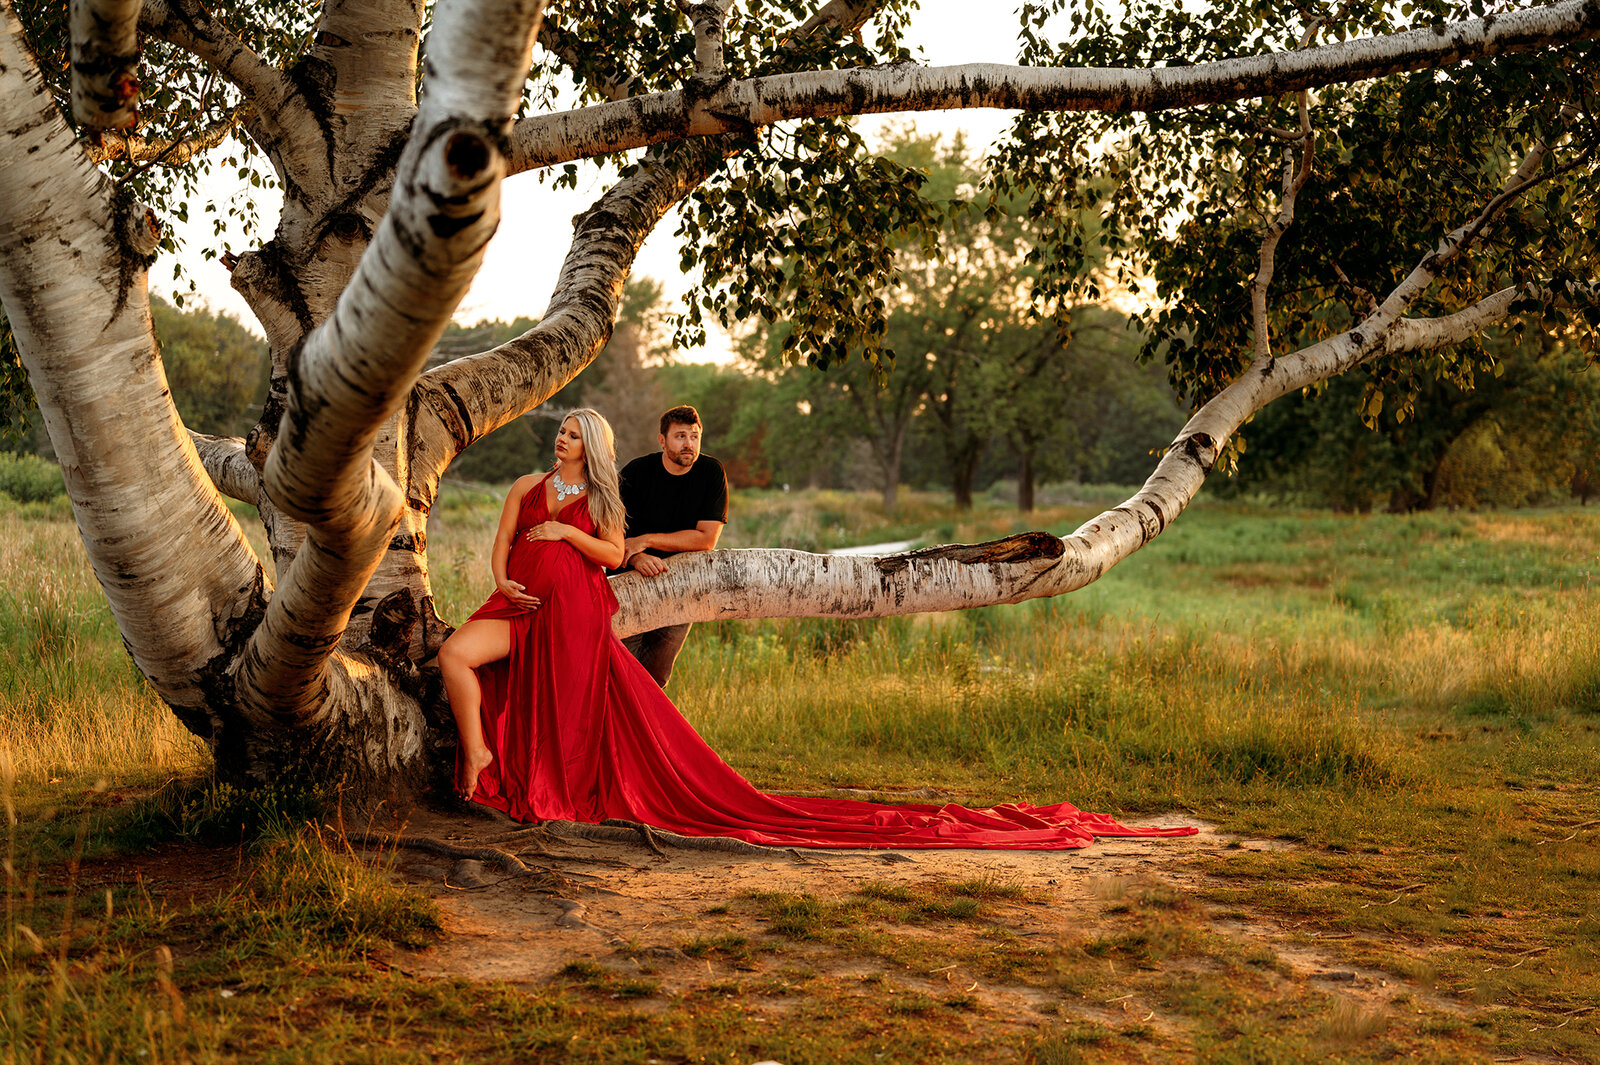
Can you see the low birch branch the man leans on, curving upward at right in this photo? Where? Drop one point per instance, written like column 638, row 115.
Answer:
column 711, row 586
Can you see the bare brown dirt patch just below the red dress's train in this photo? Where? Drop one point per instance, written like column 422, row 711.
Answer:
column 630, row 909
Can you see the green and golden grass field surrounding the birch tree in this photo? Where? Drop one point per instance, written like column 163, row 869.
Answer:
column 1410, row 703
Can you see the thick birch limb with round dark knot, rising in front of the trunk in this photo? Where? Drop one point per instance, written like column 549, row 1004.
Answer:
column 356, row 370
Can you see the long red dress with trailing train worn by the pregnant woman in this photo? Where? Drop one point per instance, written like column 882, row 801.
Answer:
column 580, row 732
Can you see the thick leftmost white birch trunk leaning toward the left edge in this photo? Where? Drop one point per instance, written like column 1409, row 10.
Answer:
column 177, row 568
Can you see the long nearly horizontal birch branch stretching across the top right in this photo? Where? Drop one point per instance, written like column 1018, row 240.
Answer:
column 740, row 106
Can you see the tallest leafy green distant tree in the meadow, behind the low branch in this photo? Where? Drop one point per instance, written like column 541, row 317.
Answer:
column 970, row 357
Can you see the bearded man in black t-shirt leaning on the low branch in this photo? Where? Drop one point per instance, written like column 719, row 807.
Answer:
column 678, row 501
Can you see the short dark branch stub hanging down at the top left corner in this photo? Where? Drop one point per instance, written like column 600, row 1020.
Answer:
column 105, row 63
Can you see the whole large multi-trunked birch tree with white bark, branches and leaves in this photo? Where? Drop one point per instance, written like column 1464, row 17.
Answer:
column 734, row 118
